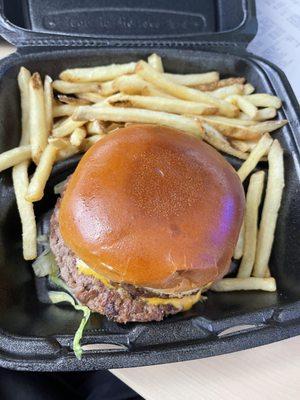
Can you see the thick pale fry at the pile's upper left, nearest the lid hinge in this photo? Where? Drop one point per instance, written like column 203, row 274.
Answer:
column 95, row 74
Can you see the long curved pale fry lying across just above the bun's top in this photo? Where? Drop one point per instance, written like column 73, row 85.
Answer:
column 119, row 114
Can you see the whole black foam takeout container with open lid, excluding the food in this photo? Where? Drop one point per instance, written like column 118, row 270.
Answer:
column 191, row 37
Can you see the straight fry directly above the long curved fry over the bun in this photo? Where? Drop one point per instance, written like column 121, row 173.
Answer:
column 175, row 106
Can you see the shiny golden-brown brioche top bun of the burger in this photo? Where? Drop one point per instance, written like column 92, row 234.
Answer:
column 153, row 207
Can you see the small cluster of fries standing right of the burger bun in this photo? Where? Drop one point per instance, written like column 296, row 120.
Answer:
column 256, row 237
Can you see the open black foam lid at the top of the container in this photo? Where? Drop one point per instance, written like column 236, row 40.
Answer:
column 127, row 22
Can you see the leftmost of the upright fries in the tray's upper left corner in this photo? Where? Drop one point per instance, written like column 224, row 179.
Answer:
column 23, row 82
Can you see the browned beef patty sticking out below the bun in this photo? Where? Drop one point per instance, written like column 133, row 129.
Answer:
column 123, row 303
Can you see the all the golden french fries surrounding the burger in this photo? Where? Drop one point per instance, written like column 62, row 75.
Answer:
column 63, row 117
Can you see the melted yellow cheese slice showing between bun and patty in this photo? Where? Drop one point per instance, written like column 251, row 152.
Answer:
column 184, row 303
